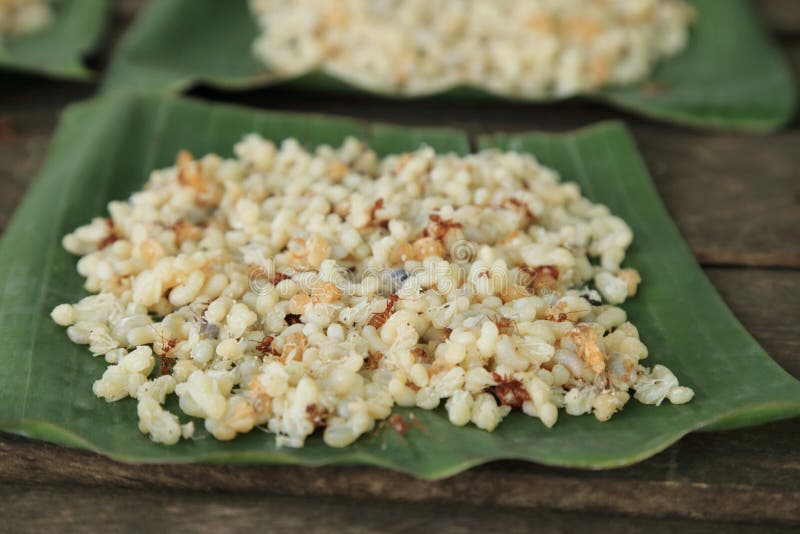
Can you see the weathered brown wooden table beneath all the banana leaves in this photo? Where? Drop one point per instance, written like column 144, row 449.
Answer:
column 736, row 200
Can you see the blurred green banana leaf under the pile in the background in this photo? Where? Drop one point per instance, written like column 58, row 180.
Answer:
column 732, row 76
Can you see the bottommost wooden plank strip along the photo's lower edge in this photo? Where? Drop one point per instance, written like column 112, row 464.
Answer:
column 71, row 509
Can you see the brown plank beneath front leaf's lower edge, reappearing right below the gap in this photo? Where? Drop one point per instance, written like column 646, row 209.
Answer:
column 729, row 476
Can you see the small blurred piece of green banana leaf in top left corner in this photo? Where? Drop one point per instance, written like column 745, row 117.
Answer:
column 58, row 49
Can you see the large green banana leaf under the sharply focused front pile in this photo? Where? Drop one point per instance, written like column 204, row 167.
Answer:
column 104, row 150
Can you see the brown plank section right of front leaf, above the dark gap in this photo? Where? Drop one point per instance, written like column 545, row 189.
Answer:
column 736, row 199
